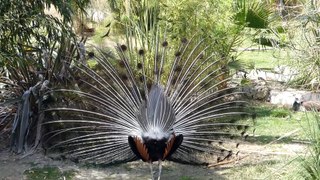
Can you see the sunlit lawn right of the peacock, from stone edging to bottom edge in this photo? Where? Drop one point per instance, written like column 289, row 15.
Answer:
column 276, row 148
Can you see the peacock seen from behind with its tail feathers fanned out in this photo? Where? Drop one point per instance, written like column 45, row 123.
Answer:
column 150, row 105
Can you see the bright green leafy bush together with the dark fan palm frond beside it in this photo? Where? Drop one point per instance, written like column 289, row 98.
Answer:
column 223, row 24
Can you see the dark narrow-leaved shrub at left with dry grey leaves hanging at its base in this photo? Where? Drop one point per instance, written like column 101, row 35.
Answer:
column 36, row 50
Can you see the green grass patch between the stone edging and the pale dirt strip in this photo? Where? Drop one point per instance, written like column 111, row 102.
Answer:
column 274, row 122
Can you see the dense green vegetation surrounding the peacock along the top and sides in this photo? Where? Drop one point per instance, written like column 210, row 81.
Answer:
column 37, row 50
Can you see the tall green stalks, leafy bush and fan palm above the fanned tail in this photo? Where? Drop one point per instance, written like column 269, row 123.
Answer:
column 221, row 25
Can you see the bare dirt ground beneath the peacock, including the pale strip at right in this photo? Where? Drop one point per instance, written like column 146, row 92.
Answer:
column 12, row 167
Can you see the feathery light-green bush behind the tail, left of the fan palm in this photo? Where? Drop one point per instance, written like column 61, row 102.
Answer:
column 206, row 19
